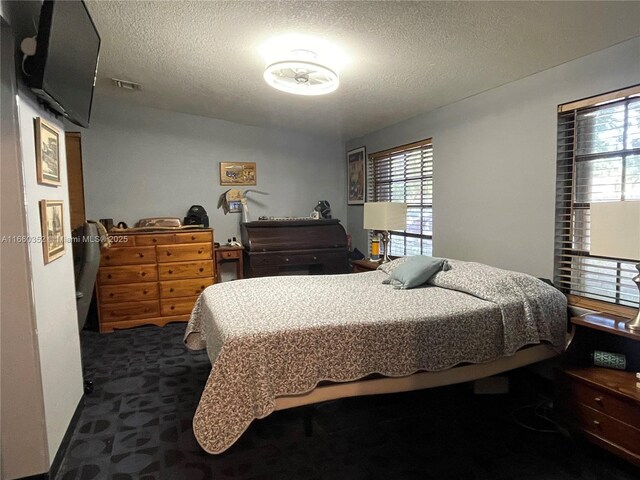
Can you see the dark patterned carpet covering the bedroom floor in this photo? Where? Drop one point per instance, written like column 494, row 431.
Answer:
column 137, row 425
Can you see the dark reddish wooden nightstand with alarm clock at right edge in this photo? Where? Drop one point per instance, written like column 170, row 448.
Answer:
column 600, row 403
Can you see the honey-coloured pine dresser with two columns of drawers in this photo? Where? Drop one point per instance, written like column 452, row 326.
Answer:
column 153, row 278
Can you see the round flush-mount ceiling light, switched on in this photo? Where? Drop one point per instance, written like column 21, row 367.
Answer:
column 301, row 73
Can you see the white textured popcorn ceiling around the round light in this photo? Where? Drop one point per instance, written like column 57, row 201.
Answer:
column 406, row 58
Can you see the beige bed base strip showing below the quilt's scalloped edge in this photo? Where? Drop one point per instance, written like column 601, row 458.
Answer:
column 419, row 380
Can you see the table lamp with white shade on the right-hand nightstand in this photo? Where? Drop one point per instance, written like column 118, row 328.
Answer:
column 615, row 233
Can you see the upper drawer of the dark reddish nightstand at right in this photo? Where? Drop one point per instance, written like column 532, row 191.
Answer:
column 602, row 401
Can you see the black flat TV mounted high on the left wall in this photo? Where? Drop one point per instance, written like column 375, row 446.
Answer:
column 63, row 70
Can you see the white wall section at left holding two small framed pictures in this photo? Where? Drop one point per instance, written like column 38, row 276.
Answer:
column 53, row 288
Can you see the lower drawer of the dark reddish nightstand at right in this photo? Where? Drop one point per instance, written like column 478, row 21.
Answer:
column 607, row 428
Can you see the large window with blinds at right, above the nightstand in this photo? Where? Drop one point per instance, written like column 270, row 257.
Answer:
column 598, row 161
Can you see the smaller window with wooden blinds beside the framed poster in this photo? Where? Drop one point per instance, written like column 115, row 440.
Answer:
column 405, row 174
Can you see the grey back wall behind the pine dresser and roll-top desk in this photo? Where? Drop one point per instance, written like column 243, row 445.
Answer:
column 142, row 162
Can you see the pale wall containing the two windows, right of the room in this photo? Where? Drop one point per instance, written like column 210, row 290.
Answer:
column 494, row 161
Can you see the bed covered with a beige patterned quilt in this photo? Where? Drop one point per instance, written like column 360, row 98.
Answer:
column 281, row 342
